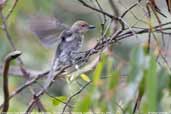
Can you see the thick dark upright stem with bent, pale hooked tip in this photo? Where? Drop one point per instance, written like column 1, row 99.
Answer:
column 9, row 58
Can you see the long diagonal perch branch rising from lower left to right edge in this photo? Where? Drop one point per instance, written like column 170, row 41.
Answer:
column 97, row 48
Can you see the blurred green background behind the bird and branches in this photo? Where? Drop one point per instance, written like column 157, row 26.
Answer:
column 102, row 94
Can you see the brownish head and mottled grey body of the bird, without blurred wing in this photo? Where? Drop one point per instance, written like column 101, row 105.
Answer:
column 71, row 43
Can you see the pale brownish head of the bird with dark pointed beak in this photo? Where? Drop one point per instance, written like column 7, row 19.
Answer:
column 81, row 26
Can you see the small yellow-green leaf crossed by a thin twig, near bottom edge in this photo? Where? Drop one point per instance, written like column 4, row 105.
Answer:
column 57, row 100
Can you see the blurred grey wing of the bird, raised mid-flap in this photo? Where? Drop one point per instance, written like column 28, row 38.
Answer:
column 47, row 29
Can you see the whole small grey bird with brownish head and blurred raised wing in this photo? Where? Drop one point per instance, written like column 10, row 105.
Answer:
column 69, row 38
